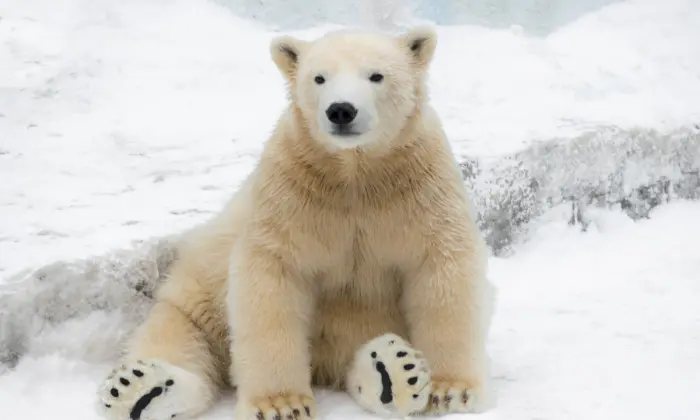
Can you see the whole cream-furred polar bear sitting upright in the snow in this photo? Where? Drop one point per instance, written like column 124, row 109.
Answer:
column 348, row 258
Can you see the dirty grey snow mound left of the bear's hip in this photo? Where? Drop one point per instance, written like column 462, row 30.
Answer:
column 81, row 309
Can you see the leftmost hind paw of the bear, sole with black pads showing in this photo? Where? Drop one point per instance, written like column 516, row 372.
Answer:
column 151, row 390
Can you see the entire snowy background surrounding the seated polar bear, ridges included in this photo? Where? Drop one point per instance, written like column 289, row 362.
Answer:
column 125, row 122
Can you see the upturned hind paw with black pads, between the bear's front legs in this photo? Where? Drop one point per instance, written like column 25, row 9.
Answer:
column 389, row 377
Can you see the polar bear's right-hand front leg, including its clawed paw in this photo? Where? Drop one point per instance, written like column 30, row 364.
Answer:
column 446, row 310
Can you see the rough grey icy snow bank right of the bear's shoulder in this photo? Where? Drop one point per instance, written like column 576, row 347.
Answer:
column 634, row 171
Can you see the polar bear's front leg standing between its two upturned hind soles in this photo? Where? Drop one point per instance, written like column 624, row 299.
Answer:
column 270, row 310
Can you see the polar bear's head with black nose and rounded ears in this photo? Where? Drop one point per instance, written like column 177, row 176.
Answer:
column 355, row 89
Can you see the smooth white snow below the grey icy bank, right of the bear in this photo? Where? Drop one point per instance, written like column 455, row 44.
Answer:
column 604, row 324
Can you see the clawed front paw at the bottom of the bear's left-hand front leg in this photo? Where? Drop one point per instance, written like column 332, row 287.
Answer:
column 279, row 407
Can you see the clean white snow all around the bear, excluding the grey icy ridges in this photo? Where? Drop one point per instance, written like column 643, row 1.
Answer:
column 128, row 120
